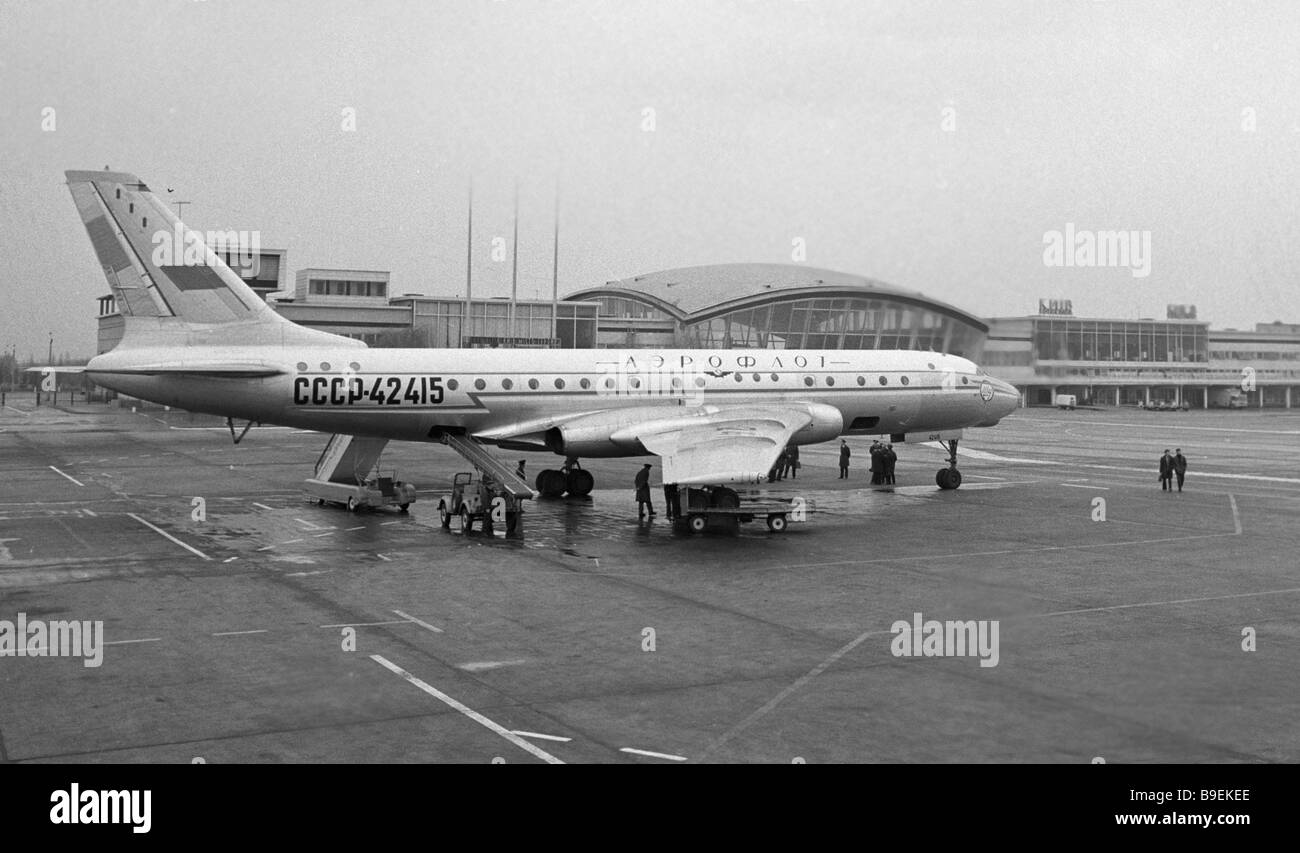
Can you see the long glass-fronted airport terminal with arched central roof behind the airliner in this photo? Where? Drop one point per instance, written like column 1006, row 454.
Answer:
column 1178, row 361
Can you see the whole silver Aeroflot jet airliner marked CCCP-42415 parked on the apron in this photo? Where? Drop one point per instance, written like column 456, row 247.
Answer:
column 200, row 339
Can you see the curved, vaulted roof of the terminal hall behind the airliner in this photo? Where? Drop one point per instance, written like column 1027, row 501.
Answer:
column 697, row 293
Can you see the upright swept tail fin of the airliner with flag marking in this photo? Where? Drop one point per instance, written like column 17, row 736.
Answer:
column 155, row 266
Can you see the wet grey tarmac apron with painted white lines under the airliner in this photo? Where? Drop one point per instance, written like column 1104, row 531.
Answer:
column 229, row 634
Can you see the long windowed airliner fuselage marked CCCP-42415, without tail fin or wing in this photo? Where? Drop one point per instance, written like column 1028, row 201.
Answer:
column 517, row 396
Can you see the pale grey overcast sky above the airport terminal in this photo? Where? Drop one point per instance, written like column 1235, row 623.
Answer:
column 773, row 122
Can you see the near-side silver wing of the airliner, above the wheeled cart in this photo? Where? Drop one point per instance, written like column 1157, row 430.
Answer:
column 739, row 445
